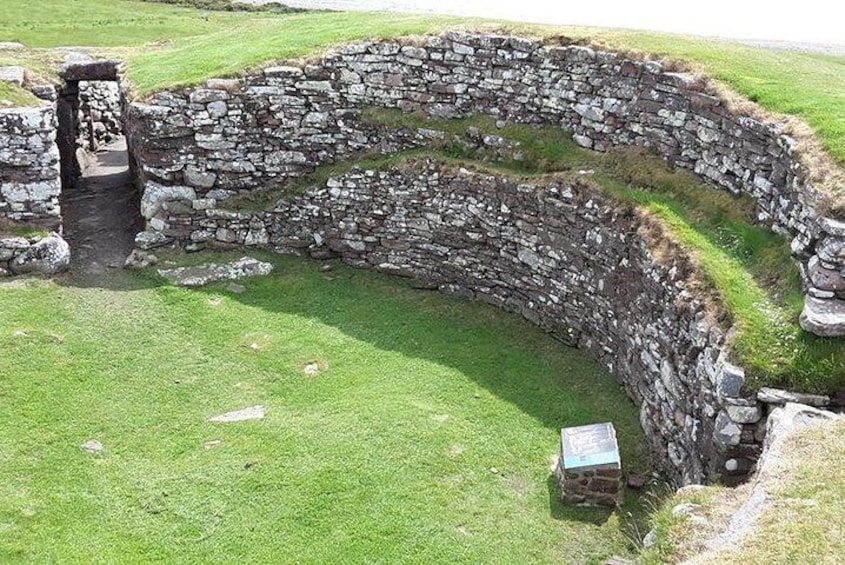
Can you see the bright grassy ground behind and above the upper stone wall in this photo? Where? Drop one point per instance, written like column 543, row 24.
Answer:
column 183, row 46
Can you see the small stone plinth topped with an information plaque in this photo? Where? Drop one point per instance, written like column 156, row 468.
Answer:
column 589, row 470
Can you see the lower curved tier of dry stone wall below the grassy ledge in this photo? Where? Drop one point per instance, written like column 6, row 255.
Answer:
column 581, row 266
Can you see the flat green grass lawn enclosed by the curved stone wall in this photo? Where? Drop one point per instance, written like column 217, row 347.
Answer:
column 387, row 455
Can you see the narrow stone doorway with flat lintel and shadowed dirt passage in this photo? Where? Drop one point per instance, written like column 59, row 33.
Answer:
column 100, row 200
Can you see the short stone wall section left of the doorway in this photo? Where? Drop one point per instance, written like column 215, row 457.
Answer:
column 29, row 166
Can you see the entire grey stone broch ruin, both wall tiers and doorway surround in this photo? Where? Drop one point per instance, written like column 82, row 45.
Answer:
column 590, row 270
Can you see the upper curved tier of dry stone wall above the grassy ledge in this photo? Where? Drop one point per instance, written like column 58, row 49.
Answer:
column 245, row 133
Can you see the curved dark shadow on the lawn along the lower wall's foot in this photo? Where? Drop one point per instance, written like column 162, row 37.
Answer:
column 502, row 353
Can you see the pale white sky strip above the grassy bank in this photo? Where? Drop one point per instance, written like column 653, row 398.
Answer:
column 808, row 21
